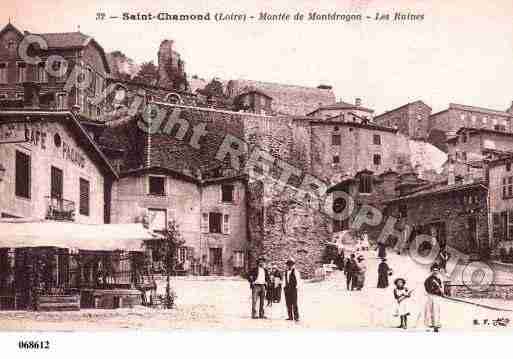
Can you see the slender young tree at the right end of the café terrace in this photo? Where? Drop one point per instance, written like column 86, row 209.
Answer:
column 168, row 246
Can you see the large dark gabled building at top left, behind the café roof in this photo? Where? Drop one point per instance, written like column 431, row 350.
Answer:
column 83, row 56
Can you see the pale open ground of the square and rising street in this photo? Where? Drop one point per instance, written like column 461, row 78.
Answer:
column 216, row 304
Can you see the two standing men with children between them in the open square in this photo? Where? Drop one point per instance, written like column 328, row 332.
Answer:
column 267, row 284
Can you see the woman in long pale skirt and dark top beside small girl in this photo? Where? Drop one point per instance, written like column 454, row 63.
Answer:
column 434, row 289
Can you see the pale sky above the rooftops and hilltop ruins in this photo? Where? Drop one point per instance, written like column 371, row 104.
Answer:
column 461, row 52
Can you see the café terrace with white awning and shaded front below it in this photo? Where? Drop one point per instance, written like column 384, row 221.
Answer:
column 67, row 266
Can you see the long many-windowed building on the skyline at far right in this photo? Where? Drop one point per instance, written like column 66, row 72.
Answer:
column 444, row 124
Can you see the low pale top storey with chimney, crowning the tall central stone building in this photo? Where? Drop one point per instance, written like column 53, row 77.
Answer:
column 343, row 111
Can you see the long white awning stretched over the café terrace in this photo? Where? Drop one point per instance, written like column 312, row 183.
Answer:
column 102, row 237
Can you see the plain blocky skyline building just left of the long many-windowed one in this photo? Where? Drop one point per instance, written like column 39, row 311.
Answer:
column 411, row 120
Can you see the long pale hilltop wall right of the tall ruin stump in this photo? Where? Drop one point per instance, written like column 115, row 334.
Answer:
column 287, row 99
